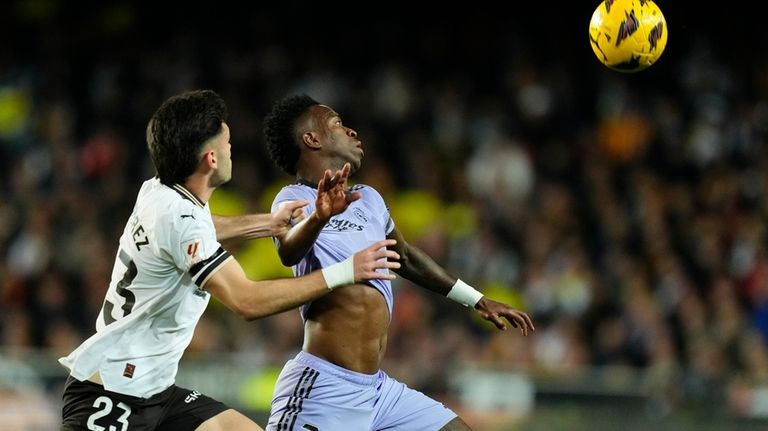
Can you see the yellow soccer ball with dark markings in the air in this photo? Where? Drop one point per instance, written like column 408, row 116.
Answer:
column 628, row 35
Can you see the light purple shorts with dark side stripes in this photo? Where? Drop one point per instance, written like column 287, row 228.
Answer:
column 316, row 395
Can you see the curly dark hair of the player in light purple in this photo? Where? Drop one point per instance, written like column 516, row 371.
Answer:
column 280, row 131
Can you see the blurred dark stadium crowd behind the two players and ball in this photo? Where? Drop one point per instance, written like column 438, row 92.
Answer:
column 626, row 213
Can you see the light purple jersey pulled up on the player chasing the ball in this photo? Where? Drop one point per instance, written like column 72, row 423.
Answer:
column 366, row 221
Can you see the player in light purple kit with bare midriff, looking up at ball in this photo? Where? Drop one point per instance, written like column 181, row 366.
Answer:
column 335, row 382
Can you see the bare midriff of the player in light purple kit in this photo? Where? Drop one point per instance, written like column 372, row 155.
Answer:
column 348, row 327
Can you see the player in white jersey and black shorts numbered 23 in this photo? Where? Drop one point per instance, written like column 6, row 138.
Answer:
column 169, row 262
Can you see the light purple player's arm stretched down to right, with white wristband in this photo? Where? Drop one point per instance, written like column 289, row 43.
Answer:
column 421, row 269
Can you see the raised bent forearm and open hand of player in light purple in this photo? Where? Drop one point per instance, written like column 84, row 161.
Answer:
column 332, row 199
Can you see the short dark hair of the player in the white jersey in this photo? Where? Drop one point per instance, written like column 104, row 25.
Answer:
column 179, row 128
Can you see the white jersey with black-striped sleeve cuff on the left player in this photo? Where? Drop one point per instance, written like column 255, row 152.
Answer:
column 167, row 252
